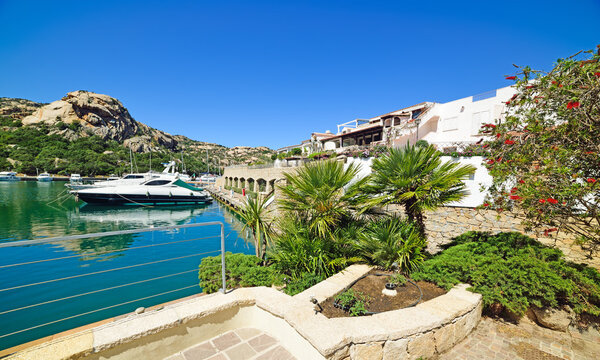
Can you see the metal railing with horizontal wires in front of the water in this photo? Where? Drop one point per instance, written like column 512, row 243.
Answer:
column 25, row 278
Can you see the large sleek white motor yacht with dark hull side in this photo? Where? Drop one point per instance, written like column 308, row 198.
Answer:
column 161, row 190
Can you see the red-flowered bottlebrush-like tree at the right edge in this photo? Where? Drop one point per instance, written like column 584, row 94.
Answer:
column 545, row 157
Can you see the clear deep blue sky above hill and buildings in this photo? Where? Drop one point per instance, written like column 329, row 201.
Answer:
column 271, row 72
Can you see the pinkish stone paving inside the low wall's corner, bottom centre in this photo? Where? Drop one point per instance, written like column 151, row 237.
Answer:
column 240, row 344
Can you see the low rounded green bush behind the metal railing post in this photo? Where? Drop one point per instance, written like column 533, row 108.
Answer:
column 240, row 270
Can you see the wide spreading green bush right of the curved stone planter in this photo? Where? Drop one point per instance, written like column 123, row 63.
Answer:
column 515, row 271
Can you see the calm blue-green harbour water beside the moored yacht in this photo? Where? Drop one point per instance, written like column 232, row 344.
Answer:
column 31, row 210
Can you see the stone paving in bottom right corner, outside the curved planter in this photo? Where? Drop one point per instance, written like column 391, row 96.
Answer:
column 494, row 339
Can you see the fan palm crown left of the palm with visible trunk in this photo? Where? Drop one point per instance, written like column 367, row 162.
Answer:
column 322, row 194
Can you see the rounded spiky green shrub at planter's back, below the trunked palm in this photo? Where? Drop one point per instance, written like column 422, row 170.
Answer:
column 389, row 241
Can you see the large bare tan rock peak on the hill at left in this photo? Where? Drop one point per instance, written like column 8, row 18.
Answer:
column 100, row 115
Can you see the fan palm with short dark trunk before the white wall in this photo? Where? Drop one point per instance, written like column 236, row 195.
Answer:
column 416, row 178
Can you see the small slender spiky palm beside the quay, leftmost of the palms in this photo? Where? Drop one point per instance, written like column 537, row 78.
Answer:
column 256, row 217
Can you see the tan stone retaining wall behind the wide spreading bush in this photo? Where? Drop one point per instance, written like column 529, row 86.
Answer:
column 447, row 222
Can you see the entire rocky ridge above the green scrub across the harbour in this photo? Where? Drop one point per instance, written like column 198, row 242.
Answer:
column 81, row 114
